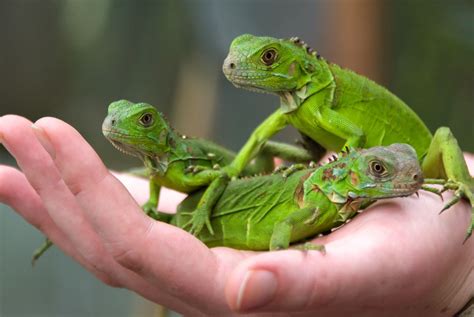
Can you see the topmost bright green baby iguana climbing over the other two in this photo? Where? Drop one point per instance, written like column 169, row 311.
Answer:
column 336, row 108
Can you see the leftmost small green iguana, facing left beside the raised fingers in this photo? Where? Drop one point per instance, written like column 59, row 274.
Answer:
column 178, row 162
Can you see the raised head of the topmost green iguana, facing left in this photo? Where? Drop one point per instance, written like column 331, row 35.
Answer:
column 267, row 64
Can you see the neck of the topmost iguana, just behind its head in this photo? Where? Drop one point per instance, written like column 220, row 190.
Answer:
column 320, row 78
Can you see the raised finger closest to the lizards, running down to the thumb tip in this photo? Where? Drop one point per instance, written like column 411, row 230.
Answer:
column 129, row 236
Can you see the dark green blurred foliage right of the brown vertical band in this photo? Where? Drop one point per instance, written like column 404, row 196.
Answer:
column 431, row 45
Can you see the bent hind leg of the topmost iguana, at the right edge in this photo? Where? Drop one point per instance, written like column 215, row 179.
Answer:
column 445, row 160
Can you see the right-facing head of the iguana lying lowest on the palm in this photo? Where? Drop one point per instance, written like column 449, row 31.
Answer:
column 374, row 173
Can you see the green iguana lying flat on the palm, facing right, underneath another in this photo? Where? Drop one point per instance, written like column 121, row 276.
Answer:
column 269, row 212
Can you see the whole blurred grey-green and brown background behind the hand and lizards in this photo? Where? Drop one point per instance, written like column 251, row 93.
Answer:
column 70, row 59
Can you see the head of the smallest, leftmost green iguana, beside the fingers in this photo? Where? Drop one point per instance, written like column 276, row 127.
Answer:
column 136, row 128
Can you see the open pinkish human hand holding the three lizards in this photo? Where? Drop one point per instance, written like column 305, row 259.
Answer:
column 399, row 257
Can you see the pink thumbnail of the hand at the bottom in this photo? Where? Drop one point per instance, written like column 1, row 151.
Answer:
column 257, row 289
